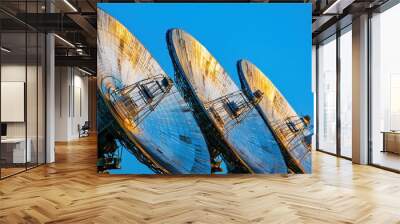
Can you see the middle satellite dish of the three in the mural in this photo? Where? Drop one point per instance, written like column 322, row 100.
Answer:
column 226, row 116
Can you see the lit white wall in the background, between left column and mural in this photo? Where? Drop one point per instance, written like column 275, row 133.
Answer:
column 71, row 102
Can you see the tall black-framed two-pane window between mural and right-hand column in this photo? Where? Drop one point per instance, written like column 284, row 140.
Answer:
column 334, row 97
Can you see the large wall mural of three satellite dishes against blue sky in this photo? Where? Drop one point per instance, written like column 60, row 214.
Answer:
column 179, row 111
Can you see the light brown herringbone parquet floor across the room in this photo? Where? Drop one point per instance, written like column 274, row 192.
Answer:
column 70, row 191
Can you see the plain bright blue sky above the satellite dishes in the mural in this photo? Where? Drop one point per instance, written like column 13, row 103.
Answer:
column 275, row 37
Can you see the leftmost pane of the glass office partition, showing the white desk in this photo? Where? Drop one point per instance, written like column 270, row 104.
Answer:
column 13, row 93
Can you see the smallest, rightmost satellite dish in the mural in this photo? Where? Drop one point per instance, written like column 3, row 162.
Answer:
column 289, row 129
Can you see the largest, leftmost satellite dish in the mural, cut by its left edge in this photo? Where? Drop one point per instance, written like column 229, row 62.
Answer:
column 143, row 100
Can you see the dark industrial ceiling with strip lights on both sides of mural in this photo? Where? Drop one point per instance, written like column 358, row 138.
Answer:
column 74, row 21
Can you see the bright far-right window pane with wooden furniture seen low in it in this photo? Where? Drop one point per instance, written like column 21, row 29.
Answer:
column 385, row 89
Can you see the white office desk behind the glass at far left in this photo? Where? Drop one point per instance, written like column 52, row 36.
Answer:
column 13, row 150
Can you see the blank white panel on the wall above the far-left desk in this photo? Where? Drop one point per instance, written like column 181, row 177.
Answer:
column 12, row 101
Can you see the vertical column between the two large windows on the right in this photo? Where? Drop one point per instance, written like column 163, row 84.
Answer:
column 360, row 90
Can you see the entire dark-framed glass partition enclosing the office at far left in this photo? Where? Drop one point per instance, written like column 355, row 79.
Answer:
column 22, row 77
